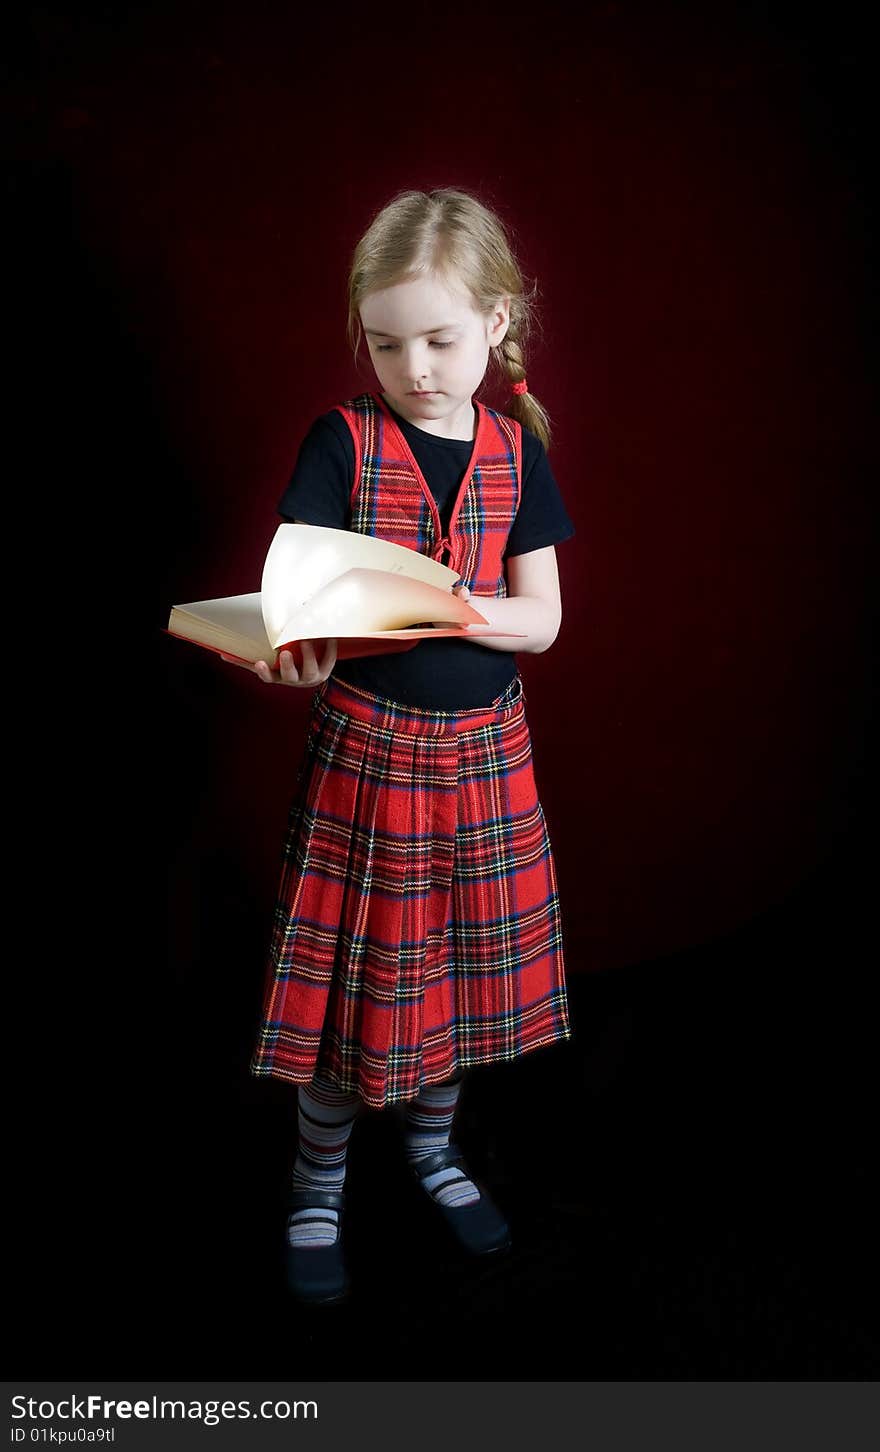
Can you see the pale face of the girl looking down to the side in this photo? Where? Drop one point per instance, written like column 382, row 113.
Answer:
column 431, row 349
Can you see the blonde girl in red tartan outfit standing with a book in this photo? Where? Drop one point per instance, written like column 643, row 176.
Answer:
column 417, row 926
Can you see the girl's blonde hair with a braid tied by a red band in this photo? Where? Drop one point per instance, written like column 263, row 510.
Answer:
column 449, row 233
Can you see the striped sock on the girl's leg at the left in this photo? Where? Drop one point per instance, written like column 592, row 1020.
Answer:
column 326, row 1117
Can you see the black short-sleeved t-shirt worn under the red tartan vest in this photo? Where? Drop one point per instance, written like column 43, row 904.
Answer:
column 435, row 674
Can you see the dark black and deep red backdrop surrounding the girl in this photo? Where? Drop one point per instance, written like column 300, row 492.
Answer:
column 690, row 188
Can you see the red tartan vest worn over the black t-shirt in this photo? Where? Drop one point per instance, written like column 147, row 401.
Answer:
column 393, row 500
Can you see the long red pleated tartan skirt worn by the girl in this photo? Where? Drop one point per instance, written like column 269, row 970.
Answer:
column 417, row 926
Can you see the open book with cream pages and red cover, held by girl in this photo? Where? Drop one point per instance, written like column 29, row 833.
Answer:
column 370, row 595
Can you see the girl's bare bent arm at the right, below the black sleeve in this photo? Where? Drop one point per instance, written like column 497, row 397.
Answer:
column 534, row 605
